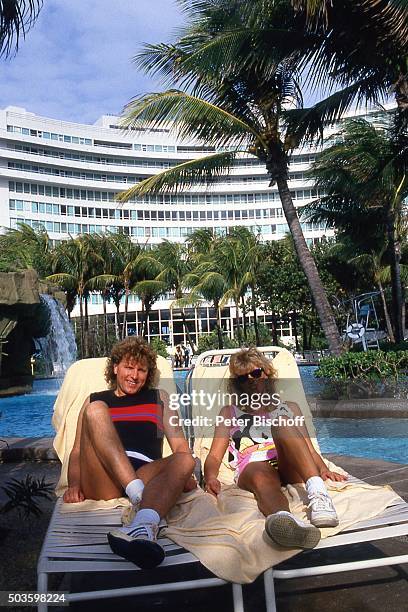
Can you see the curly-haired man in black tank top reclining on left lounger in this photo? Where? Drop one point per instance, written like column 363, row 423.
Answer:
column 118, row 448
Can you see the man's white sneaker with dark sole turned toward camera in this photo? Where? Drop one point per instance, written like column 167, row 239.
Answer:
column 138, row 545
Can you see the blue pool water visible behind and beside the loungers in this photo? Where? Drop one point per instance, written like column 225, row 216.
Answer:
column 30, row 416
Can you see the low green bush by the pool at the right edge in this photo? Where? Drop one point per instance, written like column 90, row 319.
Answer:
column 367, row 374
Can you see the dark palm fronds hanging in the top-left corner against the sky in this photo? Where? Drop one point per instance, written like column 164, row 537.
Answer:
column 16, row 18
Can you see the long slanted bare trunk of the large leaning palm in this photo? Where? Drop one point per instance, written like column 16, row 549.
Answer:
column 309, row 267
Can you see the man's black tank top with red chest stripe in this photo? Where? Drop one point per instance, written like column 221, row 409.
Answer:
column 138, row 419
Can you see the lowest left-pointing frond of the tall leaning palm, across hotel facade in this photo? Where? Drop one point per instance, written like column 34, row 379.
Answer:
column 203, row 170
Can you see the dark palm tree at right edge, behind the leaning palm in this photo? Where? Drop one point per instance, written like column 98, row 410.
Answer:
column 365, row 177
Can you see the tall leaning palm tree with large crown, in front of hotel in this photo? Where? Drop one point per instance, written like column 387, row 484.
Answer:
column 240, row 106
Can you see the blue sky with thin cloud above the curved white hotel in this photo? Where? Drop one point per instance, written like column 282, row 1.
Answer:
column 75, row 64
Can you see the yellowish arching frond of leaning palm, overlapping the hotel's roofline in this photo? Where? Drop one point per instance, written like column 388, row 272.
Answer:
column 188, row 117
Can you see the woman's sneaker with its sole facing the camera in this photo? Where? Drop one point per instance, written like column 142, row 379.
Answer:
column 288, row 531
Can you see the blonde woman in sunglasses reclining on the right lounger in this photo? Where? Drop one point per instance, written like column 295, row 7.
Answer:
column 265, row 457
